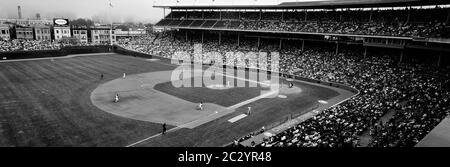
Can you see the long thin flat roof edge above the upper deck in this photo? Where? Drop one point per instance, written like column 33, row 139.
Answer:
column 326, row 4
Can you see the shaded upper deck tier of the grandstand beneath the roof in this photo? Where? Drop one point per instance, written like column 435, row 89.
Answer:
column 404, row 22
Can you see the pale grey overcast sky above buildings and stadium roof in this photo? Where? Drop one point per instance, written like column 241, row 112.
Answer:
column 123, row 10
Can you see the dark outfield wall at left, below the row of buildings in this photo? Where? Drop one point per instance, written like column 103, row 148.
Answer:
column 67, row 50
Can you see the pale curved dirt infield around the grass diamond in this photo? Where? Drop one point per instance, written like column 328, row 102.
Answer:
column 139, row 101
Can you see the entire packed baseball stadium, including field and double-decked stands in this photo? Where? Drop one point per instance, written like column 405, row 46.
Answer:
column 334, row 73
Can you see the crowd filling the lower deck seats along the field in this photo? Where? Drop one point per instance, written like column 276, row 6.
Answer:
column 417, row 97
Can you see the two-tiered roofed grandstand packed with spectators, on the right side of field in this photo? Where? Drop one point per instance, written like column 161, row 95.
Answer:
column 393, row 38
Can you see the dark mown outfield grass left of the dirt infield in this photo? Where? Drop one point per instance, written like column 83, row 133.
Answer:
column 44, row 103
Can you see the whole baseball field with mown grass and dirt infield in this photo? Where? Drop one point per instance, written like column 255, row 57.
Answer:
column 65, row 102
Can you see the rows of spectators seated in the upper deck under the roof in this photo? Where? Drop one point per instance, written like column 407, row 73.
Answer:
column 404, row 23
